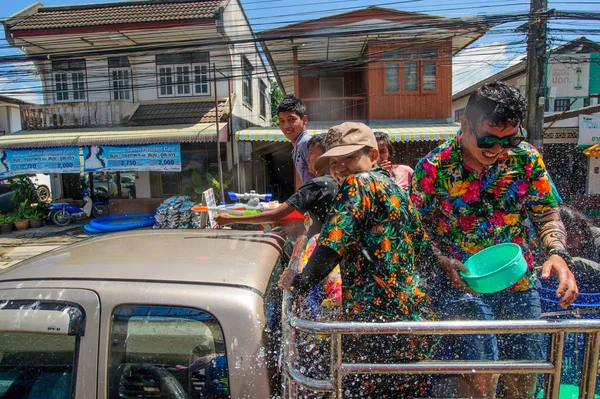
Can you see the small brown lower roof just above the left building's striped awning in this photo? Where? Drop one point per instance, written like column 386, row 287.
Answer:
column 176, row 114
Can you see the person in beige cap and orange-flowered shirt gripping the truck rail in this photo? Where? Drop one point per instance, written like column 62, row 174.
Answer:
column 375, row 234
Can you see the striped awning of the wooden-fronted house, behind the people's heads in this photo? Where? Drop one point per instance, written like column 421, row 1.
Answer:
column 398, row 130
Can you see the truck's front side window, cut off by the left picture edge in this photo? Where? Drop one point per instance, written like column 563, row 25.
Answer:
column 38, row 348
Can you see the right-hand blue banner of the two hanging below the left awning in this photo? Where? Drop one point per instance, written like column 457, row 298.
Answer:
column 152, row 157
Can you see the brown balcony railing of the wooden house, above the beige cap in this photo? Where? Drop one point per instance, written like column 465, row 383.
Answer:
column 336, row 108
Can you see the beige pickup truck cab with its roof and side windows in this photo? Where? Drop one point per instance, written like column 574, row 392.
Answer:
column 168, row 314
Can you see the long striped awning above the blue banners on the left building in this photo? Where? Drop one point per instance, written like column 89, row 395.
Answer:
column 118, row 135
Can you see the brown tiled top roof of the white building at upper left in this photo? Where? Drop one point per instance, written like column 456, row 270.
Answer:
column 117, row 13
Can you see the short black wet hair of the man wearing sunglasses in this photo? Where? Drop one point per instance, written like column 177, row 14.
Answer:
column 497, row 103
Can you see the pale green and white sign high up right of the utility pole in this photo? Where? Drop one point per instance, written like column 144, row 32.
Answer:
column 568, row 75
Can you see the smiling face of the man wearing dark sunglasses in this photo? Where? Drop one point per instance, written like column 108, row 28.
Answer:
column 481, row 158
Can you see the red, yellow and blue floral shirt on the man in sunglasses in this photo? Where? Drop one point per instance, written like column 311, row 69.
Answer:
column 466, row 211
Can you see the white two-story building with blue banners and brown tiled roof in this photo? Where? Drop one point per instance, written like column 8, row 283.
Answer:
column 157, row 87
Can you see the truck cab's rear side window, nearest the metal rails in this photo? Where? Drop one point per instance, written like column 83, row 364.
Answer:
column 166, row 352
